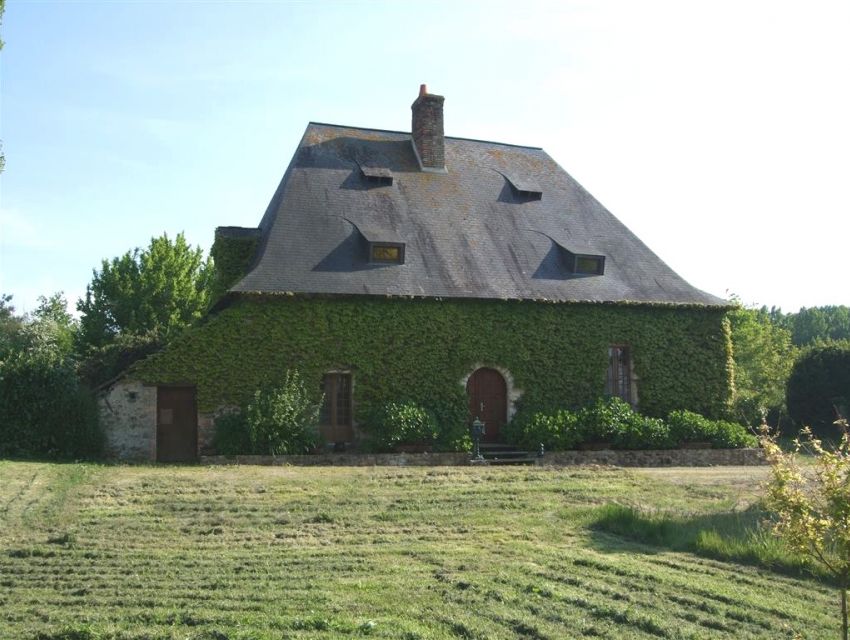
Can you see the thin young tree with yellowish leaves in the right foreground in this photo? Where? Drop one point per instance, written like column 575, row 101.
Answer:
column 812, row 508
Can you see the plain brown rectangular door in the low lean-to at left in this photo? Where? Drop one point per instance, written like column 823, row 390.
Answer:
column 176, row 425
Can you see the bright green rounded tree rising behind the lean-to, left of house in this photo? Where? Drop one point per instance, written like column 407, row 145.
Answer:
column 153, row 293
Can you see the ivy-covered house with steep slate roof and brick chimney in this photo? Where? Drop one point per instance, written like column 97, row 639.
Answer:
column 477, row 278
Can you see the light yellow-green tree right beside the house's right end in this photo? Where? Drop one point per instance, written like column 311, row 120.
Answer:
column 763, row 356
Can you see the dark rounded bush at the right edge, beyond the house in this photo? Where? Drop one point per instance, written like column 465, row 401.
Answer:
column 819, row 381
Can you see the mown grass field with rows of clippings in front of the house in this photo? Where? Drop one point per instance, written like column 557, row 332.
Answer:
column 91, row 552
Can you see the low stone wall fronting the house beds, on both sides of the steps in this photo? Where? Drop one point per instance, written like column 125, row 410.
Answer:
column 652, row 458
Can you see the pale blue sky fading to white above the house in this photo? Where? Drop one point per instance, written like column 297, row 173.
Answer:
column 719, row 132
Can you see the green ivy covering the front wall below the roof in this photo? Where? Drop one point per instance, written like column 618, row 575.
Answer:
column 421, row 350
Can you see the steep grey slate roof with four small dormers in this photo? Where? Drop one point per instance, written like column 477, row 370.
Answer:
column 473, row 232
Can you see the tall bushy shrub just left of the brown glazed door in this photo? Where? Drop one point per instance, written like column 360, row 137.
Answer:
column 282, row 420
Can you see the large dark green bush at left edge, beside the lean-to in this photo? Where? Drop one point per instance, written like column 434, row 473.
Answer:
column 44, row 411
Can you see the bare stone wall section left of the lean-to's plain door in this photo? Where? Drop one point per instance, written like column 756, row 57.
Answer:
column 128, row 417
